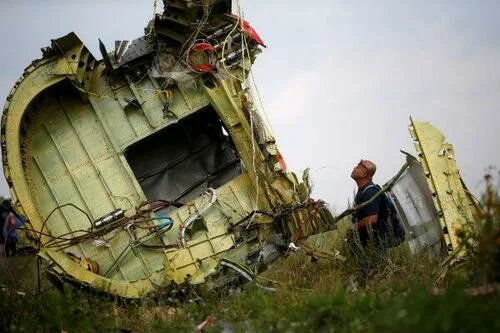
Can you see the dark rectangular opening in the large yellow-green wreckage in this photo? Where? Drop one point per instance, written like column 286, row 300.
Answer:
column 183, row 160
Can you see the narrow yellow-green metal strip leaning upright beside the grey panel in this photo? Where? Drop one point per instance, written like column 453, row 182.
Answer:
column 452, row 199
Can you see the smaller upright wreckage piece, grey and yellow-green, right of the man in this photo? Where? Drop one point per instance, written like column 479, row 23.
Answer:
column 431, row 198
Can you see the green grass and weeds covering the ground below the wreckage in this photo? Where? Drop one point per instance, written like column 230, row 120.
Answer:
column 310, row 297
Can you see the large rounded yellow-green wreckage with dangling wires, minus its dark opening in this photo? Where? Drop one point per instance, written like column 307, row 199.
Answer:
column 66, row 128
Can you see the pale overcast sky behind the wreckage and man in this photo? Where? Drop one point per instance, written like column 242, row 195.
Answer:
column 339, row 79
